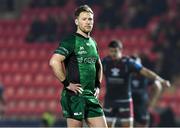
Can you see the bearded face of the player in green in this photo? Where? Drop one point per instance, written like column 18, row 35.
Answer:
column 85, row 22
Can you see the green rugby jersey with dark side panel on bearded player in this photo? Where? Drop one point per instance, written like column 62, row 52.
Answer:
column 81, row 59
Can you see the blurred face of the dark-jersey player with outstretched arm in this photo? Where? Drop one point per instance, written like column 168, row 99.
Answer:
column 115, row 52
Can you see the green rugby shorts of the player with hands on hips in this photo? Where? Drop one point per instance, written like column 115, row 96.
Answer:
column 80, row 107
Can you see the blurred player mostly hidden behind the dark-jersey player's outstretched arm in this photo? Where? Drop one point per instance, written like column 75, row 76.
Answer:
column 141, row 100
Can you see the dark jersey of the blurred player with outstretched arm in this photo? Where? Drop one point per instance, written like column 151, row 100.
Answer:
column 118, row 74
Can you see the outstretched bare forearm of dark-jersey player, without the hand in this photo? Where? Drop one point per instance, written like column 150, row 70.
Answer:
column 151, row 75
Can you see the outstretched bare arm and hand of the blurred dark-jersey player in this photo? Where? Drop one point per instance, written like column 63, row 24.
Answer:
column 153, row 76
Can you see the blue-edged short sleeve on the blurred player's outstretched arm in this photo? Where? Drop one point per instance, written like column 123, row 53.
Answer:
column 134, row 66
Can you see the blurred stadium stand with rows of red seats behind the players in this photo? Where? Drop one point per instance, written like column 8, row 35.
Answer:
column 31, row 29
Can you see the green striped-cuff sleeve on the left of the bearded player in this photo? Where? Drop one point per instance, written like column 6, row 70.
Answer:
column 65, row 48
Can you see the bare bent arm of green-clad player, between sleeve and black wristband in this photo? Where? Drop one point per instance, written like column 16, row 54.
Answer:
column 57, row 69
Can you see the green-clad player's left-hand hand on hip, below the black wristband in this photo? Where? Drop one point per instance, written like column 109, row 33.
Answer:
column 76, row 88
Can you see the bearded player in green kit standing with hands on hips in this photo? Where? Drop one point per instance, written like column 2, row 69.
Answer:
column 83, row 73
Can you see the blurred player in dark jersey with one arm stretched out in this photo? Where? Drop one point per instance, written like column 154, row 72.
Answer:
column 118, row 104
